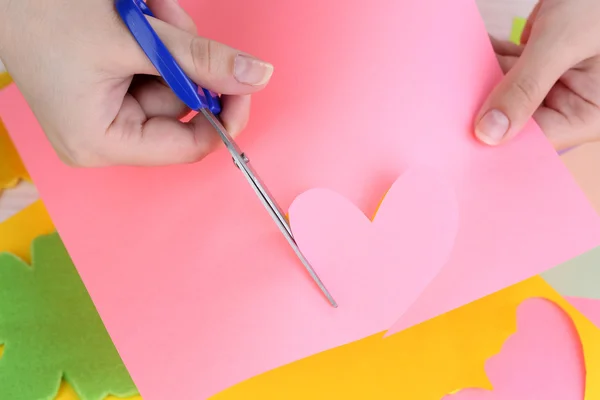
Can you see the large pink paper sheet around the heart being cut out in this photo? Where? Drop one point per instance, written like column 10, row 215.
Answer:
column 174, row 257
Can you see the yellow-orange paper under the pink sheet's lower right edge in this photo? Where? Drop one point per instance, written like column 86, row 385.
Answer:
column 423, row 363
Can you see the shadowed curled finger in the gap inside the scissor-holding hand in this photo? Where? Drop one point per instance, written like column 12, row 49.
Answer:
column 156, row 98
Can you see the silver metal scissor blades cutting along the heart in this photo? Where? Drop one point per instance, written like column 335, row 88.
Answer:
column 278, row 216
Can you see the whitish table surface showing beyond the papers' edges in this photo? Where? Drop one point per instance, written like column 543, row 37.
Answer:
column 497, row 14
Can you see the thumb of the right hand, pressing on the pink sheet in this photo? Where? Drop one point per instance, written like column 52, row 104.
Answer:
column 514, row 100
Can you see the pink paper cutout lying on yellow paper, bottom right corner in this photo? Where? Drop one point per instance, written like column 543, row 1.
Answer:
column 543, row 360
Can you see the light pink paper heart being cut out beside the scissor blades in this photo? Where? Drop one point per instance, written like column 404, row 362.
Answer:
column 377, row 269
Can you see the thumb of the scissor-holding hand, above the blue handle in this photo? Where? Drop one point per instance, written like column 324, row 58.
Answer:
column 212, row 65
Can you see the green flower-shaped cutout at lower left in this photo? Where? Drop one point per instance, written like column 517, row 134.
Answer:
column 51, row 330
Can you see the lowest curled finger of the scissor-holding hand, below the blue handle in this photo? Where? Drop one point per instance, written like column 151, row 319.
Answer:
column 134, row 140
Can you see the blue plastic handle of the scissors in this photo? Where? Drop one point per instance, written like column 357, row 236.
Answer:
column 133, row 13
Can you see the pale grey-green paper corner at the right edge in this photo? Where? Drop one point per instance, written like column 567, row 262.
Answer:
column 579, row 277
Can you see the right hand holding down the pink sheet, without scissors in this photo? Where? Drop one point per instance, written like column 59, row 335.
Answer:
column 554, row 76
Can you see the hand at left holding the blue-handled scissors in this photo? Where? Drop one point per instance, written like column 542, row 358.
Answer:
column 97, row 96
